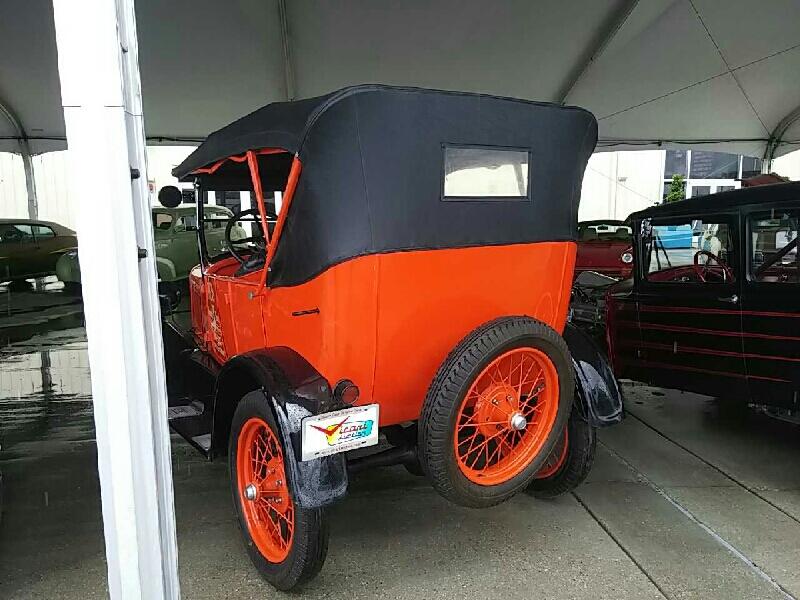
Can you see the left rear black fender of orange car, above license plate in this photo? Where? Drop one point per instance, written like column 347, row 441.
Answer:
column 294, row 389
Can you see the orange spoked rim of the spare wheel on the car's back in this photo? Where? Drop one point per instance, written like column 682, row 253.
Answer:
column 506, row 416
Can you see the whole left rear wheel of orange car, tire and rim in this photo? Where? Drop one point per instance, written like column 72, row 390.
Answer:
column 286, row 543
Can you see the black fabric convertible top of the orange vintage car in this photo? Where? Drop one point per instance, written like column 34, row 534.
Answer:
column 373, row 171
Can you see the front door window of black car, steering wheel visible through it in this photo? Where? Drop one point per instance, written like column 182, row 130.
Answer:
column 690, row 251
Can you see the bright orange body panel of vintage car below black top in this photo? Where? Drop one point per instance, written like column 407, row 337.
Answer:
column 384, row 321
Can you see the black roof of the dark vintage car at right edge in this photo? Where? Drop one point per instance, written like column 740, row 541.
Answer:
column 723, row 201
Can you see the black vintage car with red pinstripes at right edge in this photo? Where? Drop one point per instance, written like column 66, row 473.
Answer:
column 713, row 304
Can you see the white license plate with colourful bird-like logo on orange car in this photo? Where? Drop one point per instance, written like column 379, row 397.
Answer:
column 340, row 431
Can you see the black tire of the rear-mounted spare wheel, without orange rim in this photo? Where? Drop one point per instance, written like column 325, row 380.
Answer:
column 452, row 383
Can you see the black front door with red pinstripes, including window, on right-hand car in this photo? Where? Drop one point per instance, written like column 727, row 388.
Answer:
column 688, row 305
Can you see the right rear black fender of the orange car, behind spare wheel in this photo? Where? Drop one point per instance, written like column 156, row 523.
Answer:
column 597, row 394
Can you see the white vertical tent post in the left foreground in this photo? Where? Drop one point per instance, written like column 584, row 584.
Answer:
column 100, row 89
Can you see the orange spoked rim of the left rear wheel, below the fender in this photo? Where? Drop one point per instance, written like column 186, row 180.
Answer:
column 263, row 492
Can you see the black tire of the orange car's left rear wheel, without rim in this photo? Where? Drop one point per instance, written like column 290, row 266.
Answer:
column 310, row 537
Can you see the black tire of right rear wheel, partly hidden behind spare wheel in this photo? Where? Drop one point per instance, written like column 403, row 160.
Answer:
column 581, row 447
